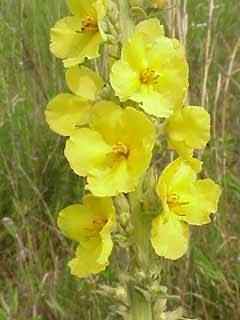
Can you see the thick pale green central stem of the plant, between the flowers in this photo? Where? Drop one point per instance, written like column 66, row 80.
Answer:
column 139, row 298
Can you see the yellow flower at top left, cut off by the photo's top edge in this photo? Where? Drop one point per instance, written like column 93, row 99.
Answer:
column 79, row 36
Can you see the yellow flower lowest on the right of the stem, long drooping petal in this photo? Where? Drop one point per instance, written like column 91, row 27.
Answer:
column 185, row 200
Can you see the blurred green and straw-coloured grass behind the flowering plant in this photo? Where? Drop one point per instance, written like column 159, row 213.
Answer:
column 36, row 181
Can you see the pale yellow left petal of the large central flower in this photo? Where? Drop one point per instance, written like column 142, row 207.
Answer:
column 86, row 152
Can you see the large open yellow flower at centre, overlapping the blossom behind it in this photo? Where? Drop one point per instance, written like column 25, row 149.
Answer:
column 114, row 152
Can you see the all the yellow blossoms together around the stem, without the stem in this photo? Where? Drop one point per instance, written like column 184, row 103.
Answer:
column 111, row 140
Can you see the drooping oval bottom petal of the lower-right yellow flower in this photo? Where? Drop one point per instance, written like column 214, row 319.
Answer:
column 169, row 236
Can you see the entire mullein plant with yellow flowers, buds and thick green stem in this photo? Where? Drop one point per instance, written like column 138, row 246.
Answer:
column 128, row 86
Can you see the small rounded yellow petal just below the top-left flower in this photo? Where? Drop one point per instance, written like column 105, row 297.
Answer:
column 84, row 82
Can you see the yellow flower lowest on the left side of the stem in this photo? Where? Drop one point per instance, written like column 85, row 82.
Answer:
column 90, row 224
